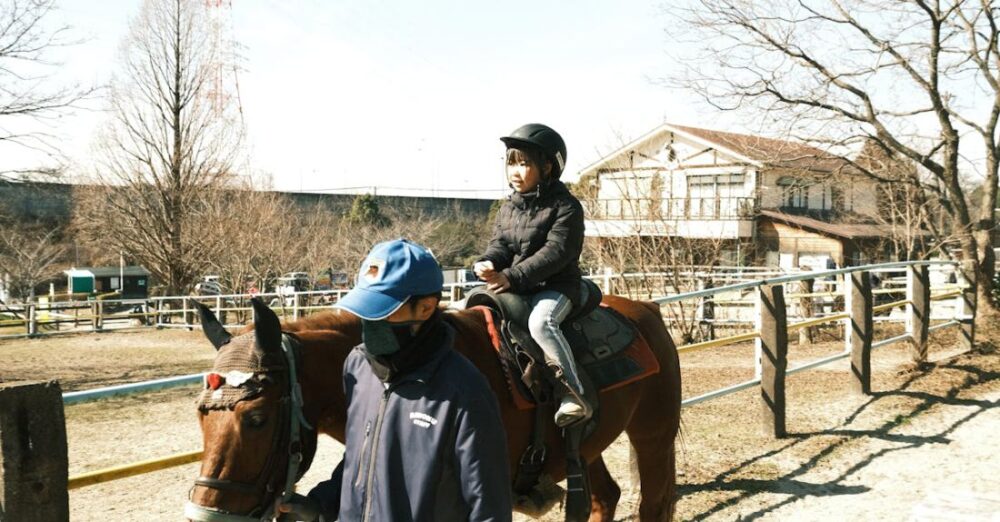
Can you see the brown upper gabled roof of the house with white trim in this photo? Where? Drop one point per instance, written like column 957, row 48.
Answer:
column 755, row 150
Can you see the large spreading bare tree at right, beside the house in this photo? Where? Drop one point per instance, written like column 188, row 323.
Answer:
column 918, row 78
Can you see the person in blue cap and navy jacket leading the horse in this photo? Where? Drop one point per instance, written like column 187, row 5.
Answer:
column 424, row 435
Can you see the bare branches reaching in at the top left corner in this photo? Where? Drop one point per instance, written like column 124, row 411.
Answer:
column 26, row 90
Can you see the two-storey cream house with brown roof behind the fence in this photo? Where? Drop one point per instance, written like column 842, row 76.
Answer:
column 761, row 200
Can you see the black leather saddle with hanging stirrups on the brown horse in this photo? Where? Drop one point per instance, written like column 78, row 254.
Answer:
column 599, row 336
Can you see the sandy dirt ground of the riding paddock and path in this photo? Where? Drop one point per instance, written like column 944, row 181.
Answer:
column 922, row 446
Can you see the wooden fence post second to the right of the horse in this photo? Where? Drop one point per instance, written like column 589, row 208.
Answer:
column 859, row 330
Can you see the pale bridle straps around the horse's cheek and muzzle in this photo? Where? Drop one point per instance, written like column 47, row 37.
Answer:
column 266, row 482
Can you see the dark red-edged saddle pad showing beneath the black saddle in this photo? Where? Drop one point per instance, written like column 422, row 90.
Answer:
column 634, row 363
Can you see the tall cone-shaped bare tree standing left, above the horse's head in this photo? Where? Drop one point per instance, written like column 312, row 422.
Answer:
column 168, row 149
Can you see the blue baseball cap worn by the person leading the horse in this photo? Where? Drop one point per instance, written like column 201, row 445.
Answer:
column 393, row 272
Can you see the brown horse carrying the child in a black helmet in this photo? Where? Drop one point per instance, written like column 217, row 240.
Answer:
column 244, row 462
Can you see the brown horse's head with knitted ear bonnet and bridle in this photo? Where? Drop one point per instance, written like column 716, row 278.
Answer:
column 250, row 411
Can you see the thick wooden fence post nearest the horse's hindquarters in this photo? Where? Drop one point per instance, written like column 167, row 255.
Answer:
column 773, row 348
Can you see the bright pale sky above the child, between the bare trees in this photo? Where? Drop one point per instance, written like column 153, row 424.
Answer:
column 415, row 94
